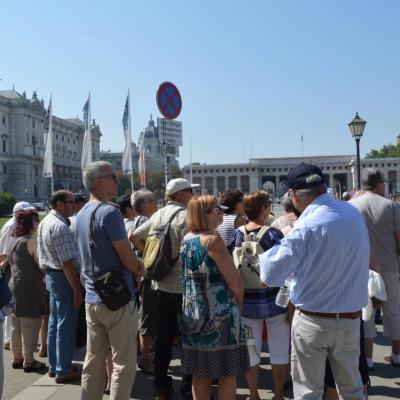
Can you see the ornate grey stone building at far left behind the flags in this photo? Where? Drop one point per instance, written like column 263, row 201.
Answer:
column 22, row 148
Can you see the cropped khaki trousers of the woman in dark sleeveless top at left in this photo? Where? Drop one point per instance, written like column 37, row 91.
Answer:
column 24, row 334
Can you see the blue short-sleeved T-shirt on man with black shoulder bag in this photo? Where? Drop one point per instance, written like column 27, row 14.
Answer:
column 108, row 227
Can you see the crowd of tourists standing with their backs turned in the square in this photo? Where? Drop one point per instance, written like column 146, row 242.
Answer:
column 129, row 281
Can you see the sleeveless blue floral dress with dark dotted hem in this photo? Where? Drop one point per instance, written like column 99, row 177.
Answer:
column 213, row 340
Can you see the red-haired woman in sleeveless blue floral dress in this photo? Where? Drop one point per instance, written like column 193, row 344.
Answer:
column 213, row 340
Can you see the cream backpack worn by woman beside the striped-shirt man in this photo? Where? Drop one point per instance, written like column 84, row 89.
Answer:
column 246, row 258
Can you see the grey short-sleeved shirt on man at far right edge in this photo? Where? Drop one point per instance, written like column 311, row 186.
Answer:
column 382, row 217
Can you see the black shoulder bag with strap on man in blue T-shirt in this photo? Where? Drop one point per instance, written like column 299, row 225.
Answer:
column 110, row 286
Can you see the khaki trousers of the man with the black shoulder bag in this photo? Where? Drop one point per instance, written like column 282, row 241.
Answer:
column 105, row 329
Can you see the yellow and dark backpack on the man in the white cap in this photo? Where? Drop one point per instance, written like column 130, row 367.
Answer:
column 157, row 254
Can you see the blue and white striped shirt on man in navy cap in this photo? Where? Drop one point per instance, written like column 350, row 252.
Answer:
column 328, row 253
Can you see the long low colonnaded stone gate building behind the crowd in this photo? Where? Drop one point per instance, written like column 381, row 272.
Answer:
column 270, row 174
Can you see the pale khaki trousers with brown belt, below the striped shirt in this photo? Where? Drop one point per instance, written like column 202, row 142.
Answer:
column 314, row 339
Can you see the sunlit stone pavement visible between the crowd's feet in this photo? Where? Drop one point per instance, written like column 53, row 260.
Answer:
column 385, row 381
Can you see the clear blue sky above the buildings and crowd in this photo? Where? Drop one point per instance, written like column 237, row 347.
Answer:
column 254, row 75
